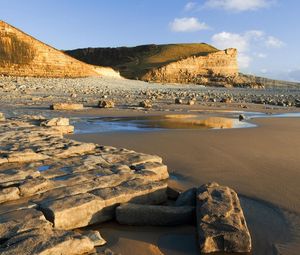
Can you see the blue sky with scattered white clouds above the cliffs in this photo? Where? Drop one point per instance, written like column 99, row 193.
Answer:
column 265, row 32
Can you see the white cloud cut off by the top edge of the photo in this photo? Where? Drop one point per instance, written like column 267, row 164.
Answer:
column 238, row 5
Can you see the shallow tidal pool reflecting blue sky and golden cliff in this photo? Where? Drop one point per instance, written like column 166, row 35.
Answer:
column 155, row 123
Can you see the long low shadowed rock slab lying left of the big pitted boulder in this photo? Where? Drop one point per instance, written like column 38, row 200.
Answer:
column 154, row 215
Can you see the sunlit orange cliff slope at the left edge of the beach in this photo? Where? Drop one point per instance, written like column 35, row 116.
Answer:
column 22, row 55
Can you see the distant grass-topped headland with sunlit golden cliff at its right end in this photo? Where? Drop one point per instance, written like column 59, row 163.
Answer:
column 197, row 63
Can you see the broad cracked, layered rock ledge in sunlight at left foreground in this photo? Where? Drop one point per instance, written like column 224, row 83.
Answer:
column 50, row 185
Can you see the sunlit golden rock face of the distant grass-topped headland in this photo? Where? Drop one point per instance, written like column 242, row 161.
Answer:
column 211, row 68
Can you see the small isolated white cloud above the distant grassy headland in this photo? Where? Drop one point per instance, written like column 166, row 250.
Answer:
column 187, row 25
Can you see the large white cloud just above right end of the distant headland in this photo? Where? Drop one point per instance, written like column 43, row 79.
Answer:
column 245, row 43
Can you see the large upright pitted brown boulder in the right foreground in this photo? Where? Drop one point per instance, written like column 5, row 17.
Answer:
column 221, row 224
